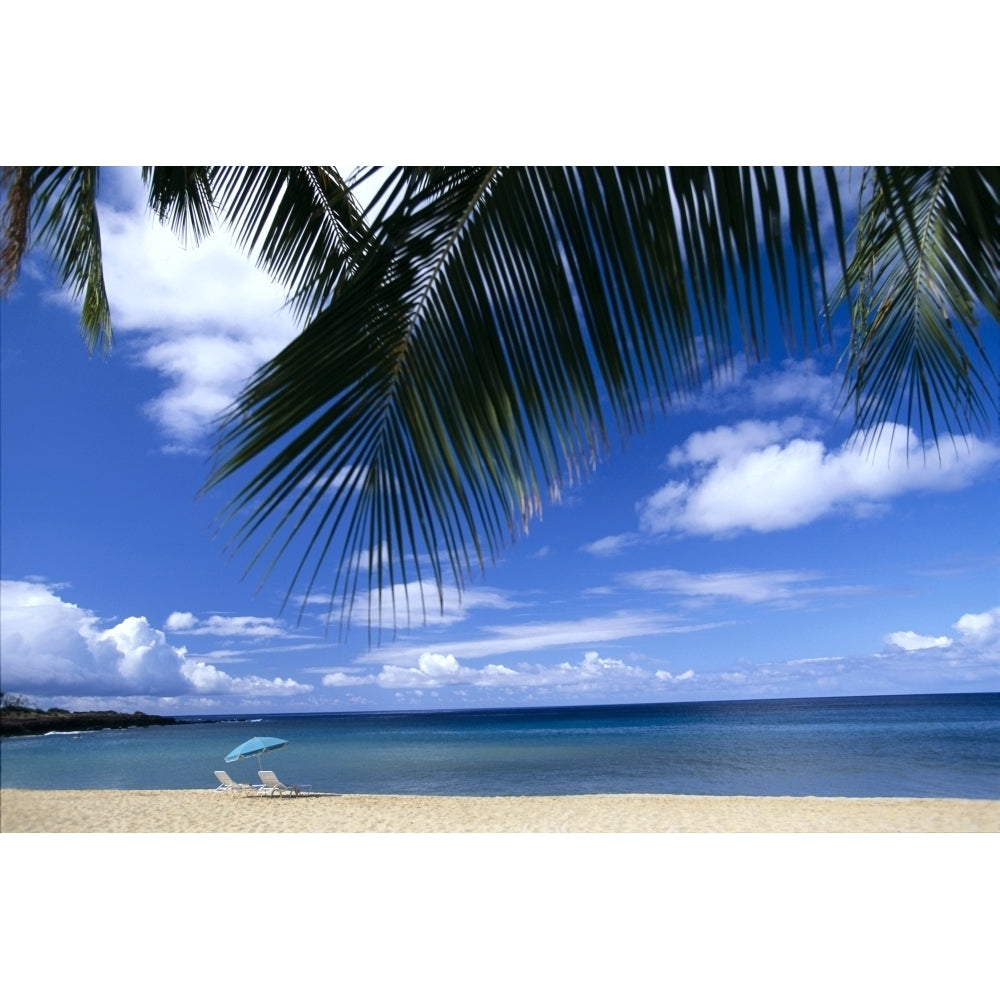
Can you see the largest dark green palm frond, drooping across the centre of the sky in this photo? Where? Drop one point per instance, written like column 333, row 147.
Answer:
column 479, row 332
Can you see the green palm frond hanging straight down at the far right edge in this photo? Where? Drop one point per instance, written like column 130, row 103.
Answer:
column 926, row 260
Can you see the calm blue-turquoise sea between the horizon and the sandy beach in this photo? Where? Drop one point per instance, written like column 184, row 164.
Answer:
column 919, row 745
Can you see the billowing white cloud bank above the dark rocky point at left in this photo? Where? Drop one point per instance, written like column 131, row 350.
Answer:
column 53, row 648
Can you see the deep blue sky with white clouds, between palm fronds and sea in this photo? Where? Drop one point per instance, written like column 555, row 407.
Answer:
column 745, row 546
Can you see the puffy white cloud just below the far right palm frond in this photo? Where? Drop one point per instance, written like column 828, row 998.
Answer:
column 758, row 476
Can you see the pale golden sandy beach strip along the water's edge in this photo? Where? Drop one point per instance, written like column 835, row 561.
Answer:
column 202, row 811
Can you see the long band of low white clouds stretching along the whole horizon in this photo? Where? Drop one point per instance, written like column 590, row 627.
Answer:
column 54, row 649
